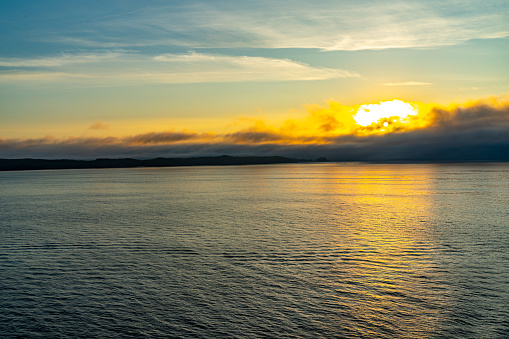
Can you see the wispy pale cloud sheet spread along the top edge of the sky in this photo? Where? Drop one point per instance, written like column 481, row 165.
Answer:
column 325, row 25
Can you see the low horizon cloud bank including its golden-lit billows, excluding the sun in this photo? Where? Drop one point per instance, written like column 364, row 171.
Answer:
column 474, row 131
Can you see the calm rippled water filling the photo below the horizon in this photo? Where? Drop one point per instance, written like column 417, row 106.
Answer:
column 282, row 251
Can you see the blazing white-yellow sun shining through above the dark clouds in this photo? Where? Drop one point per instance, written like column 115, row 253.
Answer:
column 396, row 110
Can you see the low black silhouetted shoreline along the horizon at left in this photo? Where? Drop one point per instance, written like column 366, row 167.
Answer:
column 224, row 160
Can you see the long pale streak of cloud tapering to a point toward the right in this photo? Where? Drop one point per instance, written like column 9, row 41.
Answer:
column 123, row 68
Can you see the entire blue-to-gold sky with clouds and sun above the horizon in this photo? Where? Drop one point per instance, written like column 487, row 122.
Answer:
column 349, row 80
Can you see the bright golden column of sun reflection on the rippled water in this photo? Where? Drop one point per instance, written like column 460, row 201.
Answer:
column 385, row 245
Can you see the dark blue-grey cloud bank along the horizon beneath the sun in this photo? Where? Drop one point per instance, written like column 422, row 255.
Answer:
column 476, row 133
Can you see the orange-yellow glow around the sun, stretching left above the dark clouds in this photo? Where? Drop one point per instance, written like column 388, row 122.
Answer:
column 332, row 124
